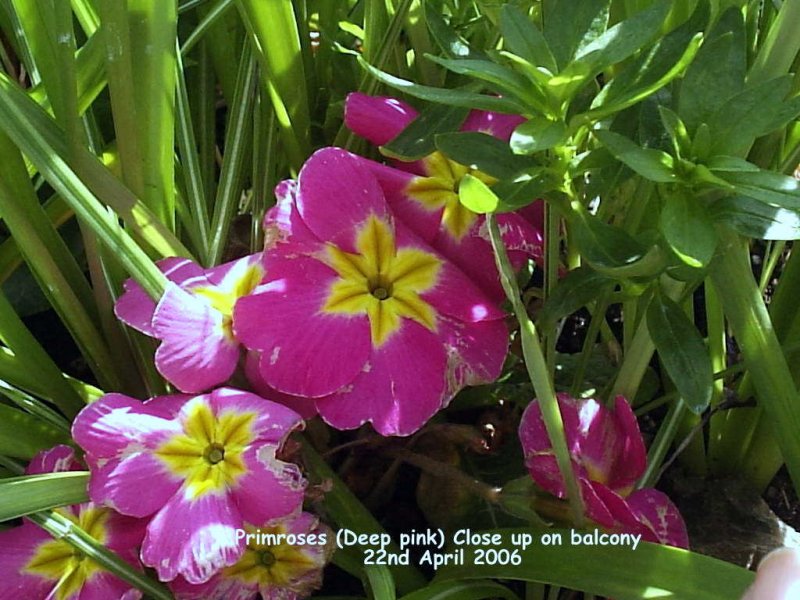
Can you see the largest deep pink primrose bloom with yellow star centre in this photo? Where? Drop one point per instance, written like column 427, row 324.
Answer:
column 360, row 314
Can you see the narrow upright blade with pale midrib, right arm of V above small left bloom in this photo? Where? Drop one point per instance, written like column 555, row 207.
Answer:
column 237, row 141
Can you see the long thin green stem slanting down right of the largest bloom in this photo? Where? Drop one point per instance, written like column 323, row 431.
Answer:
column 538, row 372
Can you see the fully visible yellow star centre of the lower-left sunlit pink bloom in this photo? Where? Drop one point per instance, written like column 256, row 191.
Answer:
column 208, row 455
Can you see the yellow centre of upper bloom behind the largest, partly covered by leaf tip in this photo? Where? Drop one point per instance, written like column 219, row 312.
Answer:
column 440, row 190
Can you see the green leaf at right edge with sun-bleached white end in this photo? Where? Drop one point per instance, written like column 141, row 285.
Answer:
column 756, row 219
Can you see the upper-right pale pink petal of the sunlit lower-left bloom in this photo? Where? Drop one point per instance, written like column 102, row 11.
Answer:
column 274, row 422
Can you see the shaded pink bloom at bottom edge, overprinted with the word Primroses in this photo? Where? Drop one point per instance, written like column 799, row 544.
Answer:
column 281, row 562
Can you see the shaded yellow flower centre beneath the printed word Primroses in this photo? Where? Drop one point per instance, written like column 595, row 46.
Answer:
column 278, row 564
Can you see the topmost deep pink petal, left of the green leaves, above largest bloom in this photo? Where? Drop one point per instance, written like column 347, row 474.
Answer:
column 376, row 118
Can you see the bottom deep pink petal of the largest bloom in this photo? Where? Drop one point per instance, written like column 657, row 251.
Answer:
column 400, row 388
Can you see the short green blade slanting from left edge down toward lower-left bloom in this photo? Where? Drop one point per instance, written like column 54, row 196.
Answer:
column 26, row 348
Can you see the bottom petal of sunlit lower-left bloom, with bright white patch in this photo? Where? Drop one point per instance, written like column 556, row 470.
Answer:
column 193, row 538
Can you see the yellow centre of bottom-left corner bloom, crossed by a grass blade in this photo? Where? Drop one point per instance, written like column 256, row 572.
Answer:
column 59, row 560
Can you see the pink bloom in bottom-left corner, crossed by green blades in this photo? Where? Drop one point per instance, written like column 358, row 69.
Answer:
column 35, row 566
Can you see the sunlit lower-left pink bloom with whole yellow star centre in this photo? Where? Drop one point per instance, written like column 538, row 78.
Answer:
column 208, row 464
